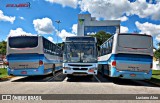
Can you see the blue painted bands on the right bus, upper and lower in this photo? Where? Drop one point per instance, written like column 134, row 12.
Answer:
column 131, row 59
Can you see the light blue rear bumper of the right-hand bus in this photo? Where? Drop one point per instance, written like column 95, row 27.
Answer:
column 131, row 74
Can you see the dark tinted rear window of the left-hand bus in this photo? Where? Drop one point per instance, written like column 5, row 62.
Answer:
column 23, row 42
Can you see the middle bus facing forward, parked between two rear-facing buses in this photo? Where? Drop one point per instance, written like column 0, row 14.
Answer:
column 80, row 56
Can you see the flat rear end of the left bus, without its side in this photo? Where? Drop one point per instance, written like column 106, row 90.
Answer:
column 25, row 56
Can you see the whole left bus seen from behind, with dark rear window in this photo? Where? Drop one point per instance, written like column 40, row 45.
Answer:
column 32, row 55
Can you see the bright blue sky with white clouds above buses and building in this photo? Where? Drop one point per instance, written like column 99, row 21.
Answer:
column 39, row 18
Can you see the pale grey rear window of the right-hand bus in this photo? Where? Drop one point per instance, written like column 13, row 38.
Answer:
column 135, row 41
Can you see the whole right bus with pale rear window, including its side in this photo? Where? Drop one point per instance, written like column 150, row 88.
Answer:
column 127, row 56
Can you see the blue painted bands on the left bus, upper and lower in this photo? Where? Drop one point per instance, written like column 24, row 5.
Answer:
column 31, row 58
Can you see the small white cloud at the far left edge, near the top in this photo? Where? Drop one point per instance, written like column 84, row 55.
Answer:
column 6, row 18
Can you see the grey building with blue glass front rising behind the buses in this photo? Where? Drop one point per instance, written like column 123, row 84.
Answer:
column 88, row 25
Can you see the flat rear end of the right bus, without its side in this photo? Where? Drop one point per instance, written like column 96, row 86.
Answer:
column 132, row 56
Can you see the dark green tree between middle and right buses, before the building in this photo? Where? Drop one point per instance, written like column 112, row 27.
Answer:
column 101, row 37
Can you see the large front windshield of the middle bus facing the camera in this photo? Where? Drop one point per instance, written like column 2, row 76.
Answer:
column 80, row 52
